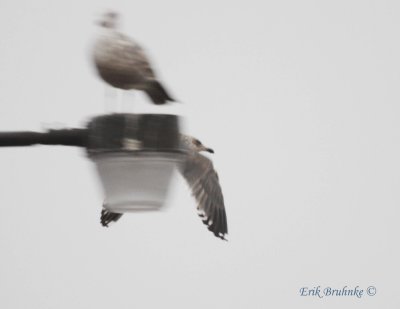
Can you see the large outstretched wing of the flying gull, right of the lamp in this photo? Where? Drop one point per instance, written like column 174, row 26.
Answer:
column 203, row 180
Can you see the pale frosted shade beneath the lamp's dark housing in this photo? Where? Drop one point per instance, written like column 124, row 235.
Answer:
column 135, row 183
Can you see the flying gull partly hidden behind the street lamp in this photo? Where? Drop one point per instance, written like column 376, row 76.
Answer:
column 203, row 180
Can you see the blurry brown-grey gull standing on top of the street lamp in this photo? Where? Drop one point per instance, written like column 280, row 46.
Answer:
column 123, row 64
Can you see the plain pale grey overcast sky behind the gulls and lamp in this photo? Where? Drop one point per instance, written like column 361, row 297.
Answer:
column 299, row 100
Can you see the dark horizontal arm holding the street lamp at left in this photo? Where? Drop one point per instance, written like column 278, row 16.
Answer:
column 64, row 137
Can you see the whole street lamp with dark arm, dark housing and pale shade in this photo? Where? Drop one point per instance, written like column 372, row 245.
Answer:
column 135, row 155
